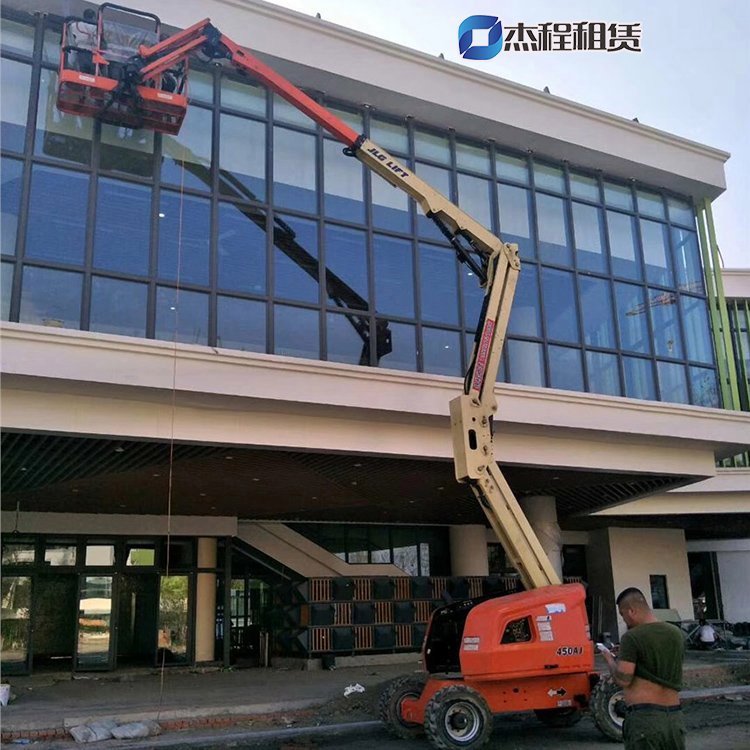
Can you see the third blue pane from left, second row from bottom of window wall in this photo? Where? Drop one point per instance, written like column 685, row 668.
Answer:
column 123, row 227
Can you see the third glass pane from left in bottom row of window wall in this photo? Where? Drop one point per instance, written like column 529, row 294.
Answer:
column 118, row 307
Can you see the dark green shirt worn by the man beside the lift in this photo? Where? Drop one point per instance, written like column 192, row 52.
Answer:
column 656, row 649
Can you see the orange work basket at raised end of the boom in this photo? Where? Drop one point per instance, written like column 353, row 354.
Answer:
column 99, row 65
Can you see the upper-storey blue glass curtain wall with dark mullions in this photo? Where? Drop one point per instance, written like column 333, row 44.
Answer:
column 251, row 230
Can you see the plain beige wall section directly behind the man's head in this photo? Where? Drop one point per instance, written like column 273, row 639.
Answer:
column 638, row 553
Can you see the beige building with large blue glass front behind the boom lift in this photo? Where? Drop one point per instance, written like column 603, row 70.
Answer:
column 228, row 355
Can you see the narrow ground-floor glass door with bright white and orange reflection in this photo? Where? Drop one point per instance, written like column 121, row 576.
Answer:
column 94, row 639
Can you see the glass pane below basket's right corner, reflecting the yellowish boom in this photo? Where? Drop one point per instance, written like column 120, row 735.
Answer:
column 190, row 149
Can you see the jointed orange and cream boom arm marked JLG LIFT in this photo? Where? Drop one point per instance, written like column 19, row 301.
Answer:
column 495, row 263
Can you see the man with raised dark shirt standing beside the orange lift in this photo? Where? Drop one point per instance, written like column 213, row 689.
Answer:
column 649, row 669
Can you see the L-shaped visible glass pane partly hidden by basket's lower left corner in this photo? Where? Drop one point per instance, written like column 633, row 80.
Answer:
column 60, row 135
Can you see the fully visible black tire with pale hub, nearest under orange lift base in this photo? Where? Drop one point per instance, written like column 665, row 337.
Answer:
column 457, row 717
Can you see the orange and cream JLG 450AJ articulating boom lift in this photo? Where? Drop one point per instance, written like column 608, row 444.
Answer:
column 526, row 651
